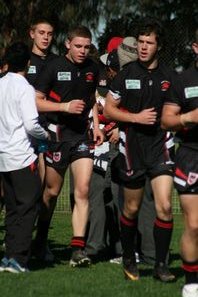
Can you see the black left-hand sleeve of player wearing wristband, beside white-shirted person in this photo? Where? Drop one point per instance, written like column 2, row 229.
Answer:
column 46, row 78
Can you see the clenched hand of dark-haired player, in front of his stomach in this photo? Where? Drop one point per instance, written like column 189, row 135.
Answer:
column 147, row 116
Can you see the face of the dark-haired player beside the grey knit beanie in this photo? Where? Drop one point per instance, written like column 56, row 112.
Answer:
column 147, row 48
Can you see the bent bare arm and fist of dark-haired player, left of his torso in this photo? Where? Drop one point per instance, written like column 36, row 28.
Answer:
column 112, row 111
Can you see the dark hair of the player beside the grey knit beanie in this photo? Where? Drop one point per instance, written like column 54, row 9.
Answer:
column 151, row 25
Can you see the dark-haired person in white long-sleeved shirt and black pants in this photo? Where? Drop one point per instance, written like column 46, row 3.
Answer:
column 18, row 162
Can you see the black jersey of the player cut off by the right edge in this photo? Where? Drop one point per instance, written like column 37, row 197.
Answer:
column 187, row 99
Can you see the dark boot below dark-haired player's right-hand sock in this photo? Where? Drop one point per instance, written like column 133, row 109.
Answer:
column 162, row 273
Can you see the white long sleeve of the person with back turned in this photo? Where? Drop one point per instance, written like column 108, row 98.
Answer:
column 30, row 114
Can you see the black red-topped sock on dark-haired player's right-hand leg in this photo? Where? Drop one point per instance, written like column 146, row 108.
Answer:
column 162, row 235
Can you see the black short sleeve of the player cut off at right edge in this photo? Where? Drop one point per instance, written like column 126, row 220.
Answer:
column 175, row 93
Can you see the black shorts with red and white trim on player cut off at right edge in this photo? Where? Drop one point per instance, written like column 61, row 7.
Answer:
column 186, row 171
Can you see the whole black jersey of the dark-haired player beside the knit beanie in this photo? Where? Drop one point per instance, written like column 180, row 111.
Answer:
column 139, row 88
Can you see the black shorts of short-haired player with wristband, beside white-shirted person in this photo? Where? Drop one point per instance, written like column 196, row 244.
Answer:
column 61, row 154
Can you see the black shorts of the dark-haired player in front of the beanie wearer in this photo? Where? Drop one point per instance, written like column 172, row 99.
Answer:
column 135, row 179
